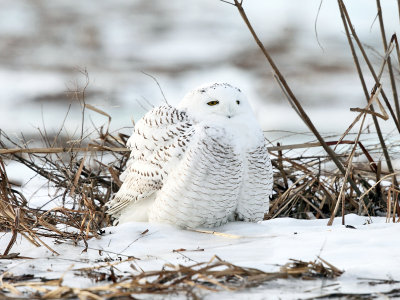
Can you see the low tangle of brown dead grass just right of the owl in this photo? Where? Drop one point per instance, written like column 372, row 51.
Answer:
column 307, row 186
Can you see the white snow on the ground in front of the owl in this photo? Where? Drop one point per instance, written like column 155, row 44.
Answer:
column 368, row 251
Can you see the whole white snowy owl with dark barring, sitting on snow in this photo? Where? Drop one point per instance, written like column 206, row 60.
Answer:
column 201, row 164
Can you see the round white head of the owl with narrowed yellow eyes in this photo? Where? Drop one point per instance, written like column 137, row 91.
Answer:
column 216, row 102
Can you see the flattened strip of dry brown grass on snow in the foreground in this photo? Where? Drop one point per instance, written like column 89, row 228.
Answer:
column 216, row 275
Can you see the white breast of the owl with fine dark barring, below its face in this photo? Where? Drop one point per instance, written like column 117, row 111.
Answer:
column 205, row 188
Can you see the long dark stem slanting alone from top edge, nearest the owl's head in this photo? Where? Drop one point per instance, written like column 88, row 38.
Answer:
column 293, row 98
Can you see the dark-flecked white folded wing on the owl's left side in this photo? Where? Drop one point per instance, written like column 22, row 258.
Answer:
column 157, row 144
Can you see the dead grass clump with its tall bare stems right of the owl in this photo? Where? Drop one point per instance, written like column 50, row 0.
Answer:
column 304, row 189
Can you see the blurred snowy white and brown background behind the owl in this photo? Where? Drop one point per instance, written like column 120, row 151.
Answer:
column 44, row 46
